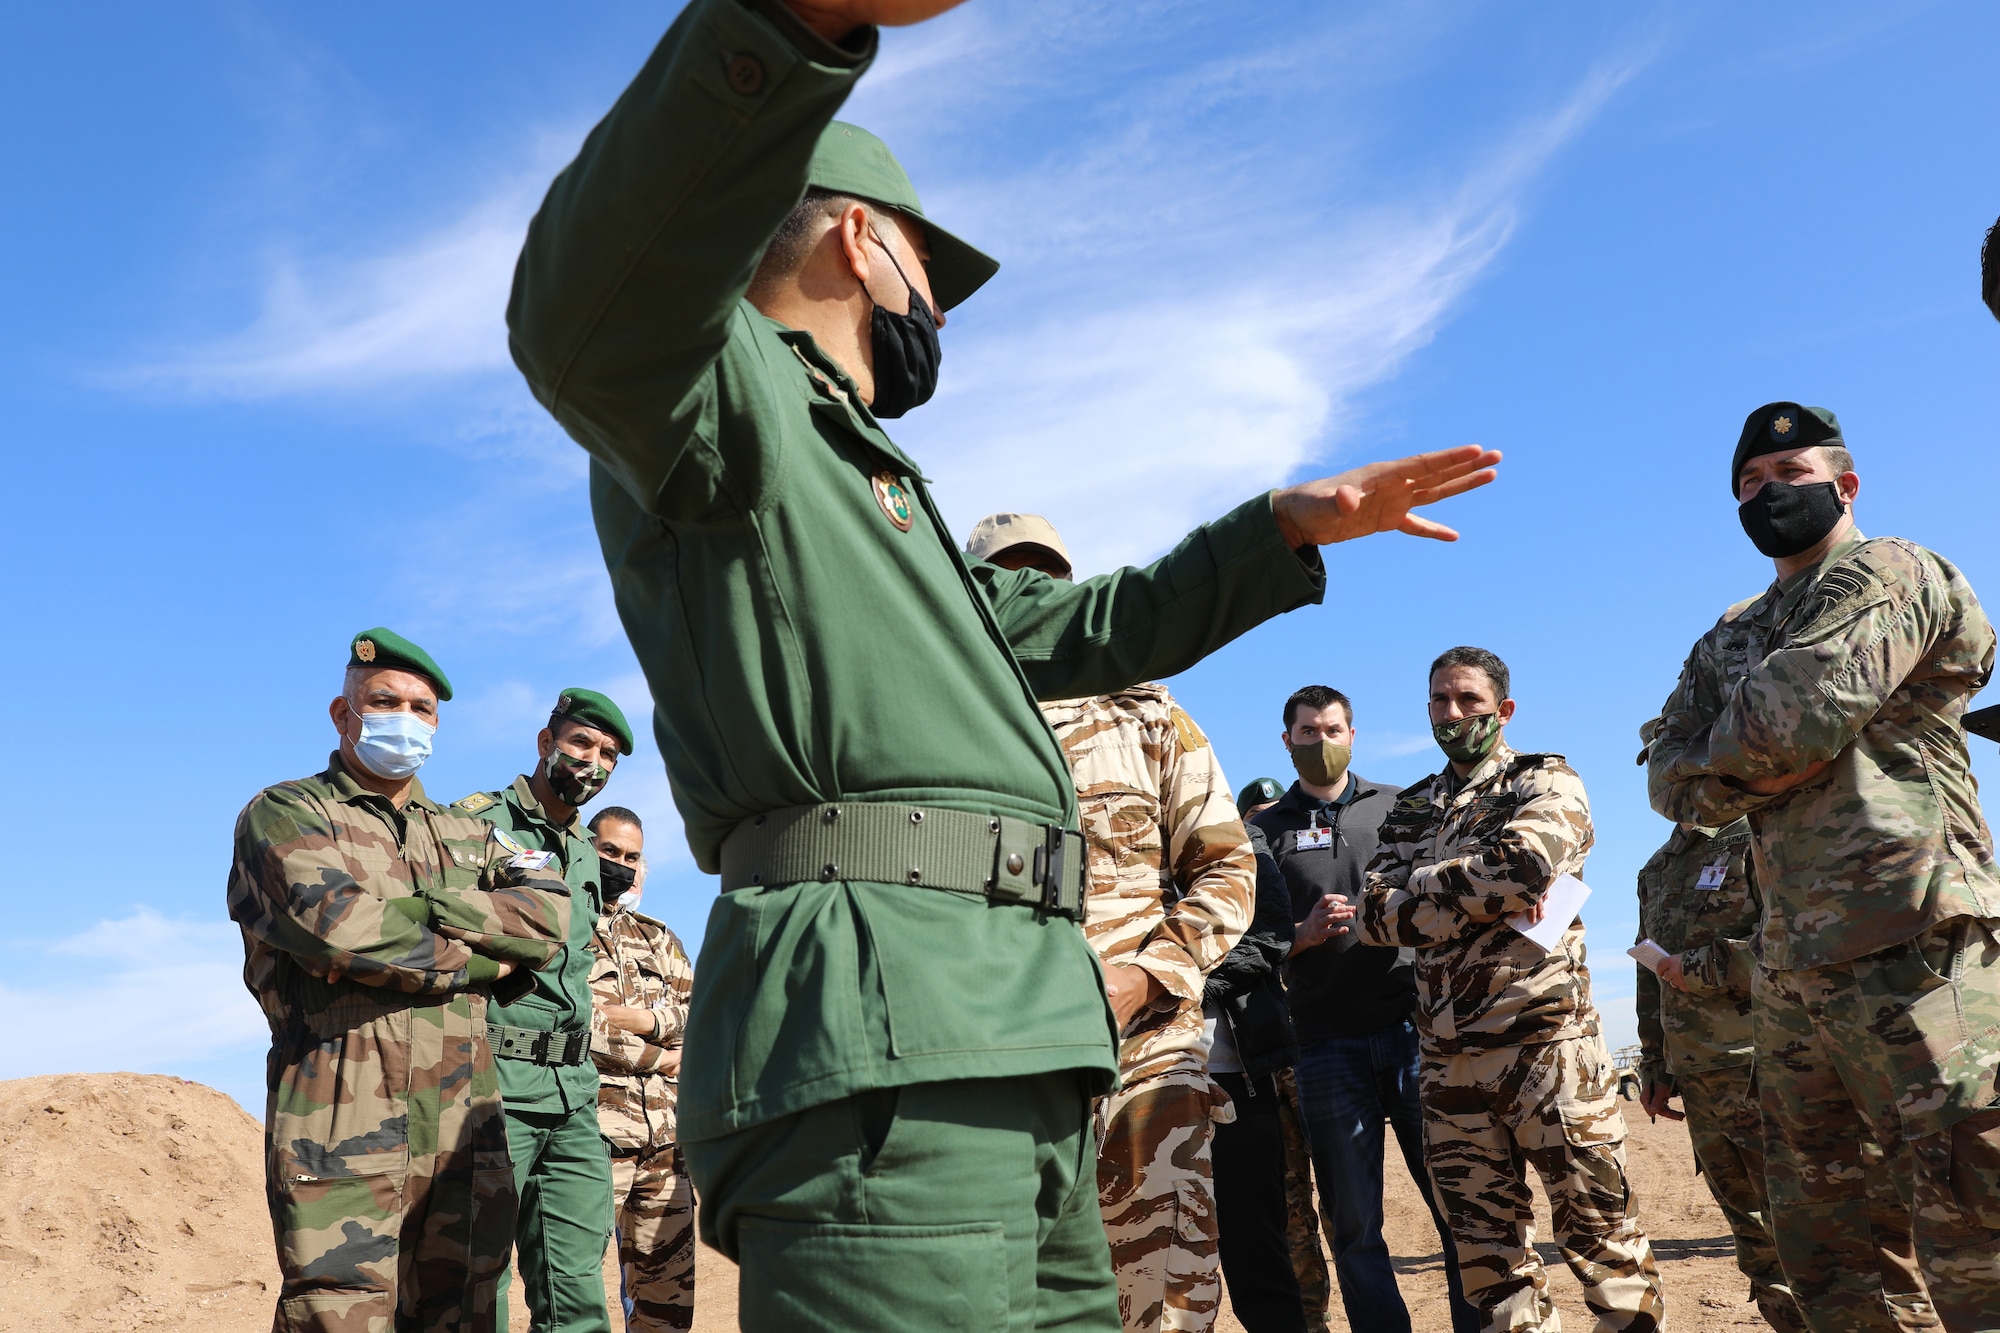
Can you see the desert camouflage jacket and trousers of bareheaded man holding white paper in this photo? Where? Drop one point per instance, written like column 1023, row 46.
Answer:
column 1513, row 1070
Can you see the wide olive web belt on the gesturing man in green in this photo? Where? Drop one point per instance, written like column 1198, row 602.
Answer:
column 989, row 856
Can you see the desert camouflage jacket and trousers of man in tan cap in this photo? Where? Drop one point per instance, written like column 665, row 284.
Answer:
column 1171, row 888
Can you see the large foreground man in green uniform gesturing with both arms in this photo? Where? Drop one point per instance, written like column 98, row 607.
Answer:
column 897, row 1026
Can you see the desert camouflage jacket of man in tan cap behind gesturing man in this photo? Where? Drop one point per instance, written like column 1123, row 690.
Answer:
column 1171, row 868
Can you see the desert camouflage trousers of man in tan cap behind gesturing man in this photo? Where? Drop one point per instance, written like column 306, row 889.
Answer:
column 1159, row 1200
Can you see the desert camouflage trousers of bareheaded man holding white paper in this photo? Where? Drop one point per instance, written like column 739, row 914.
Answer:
column 1489, row 1118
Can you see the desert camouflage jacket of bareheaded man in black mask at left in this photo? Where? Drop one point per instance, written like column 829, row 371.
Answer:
column 643, row 966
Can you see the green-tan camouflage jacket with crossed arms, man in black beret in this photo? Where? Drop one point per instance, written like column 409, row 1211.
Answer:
column 1865, row 661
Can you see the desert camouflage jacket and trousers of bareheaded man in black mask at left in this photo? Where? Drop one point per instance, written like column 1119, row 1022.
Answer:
column 641, row 964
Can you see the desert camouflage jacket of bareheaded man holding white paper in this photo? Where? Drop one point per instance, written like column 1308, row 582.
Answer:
column 1455, row 860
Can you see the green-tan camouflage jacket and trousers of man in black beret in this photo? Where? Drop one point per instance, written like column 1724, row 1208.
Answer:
column 1879, row 994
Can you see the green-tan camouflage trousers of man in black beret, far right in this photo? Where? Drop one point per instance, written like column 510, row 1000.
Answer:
column 1897, row 1048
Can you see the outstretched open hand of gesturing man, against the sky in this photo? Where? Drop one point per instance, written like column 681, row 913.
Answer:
column 1381, row 495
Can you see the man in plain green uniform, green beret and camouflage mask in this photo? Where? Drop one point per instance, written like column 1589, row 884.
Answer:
column 543, row 1040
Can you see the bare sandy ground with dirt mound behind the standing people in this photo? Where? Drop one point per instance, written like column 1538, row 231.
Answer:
column 137, row 1202
